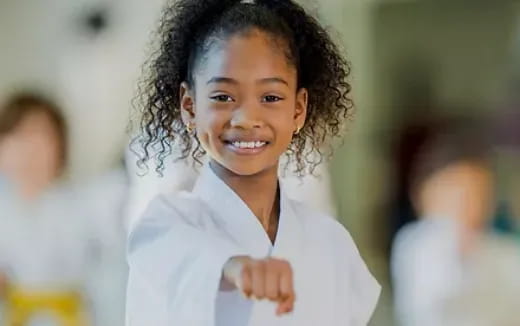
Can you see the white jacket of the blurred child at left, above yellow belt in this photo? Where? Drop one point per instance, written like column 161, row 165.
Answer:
column 46, row 244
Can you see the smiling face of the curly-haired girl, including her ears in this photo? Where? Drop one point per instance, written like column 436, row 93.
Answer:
column 245, row 106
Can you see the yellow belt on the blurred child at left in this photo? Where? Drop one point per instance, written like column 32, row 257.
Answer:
column 23, row 305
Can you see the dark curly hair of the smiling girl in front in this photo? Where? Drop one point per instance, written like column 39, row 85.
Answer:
column 189, row 27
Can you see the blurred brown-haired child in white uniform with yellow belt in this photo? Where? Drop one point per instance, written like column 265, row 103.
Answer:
column 54, row 235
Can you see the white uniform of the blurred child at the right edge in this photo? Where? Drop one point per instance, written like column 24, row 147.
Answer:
column 434, row 284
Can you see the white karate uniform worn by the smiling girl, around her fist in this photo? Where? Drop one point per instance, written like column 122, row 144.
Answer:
column 177, row 250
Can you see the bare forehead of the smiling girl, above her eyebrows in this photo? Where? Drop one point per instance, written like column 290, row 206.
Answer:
column 251, row 55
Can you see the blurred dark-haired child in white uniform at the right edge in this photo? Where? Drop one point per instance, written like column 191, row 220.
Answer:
column 447, row 269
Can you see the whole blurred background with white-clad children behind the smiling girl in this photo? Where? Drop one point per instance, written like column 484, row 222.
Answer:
column 426, row 179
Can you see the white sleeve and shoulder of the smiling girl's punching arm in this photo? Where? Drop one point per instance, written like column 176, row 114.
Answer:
column 177, row 265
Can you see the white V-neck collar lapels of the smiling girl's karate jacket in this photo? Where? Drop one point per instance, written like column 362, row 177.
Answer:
column 243, row 226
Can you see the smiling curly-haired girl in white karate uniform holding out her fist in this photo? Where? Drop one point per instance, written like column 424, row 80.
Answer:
column 244, row 82
